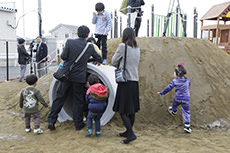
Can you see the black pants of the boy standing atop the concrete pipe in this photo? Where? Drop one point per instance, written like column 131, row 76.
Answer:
column 102, row 41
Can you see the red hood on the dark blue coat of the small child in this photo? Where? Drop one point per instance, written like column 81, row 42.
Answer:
column 98, row 89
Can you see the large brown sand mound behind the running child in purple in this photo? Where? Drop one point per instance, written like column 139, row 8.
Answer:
column 208, row 71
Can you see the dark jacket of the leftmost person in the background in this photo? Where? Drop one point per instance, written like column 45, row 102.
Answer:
column 23, row 56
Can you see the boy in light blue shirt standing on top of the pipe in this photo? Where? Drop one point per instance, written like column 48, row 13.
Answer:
column 103, row 25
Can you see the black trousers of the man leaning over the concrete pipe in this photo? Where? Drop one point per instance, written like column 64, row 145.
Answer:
column 63, row 89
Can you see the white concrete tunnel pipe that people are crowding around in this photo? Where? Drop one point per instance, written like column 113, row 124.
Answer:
column 107, row 76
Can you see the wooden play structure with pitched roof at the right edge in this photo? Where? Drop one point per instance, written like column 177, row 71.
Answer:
column 218, row 33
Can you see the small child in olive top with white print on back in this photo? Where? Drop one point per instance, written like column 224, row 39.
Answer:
column 29, row 98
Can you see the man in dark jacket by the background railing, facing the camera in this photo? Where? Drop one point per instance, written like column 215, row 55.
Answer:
column 41, row 57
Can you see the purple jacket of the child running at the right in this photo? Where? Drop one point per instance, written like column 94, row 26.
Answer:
column 181, row 88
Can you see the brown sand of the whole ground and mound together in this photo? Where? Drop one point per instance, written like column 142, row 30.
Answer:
column 156, row 130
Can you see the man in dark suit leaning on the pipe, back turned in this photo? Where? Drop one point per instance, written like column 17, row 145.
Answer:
column 77, row 79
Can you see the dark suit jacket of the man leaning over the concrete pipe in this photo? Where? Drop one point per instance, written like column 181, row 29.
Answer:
column 72, row 50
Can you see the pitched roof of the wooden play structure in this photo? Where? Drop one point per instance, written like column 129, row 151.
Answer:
column 219, row 10
